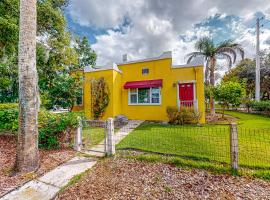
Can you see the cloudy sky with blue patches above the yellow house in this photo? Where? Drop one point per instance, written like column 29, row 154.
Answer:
column 146, row 28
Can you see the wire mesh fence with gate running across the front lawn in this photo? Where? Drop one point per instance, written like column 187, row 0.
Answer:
column 218, row 144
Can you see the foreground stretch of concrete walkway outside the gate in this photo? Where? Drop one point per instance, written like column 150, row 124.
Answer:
column 47, row 186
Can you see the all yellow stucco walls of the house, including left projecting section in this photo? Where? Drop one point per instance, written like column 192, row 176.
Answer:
column 158, row 69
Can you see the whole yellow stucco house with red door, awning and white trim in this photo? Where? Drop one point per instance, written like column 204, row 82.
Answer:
column 143, row 89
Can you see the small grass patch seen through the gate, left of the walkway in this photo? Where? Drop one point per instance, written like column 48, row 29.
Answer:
column 92, row 136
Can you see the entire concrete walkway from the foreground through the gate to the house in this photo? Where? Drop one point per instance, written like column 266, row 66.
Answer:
column 47, row 186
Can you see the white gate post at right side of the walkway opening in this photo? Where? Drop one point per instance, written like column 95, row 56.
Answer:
column 110, row 142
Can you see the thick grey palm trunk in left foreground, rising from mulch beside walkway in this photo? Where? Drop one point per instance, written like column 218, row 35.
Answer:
column 27, row 159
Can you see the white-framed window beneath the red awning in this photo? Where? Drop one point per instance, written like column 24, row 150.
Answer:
column 144, row 96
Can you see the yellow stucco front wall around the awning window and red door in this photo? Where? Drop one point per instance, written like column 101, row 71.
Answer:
column 160, row 69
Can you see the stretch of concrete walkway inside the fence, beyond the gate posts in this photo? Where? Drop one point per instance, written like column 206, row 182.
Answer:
column 99, row 150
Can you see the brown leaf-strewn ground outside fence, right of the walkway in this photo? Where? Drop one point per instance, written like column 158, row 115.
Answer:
column 119, row 178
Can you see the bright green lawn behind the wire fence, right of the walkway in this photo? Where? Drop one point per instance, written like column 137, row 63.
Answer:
column 209, row 143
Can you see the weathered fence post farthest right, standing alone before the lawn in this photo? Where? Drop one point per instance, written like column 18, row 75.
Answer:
column 234, row 146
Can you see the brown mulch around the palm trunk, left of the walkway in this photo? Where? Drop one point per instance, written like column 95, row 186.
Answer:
column 49, row 160
